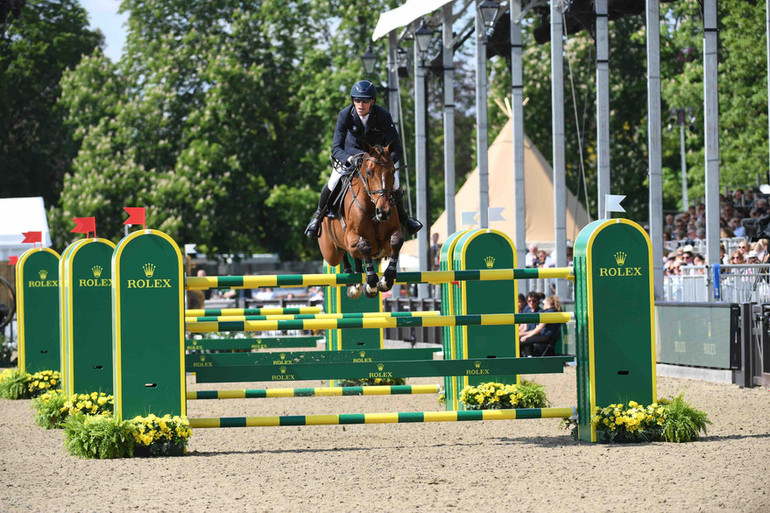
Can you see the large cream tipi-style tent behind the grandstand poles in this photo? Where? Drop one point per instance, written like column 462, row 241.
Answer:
column 538, row 194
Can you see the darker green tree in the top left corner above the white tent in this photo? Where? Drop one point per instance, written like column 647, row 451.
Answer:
column 36, row 147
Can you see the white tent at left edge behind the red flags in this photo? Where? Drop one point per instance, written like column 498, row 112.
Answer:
column 18, row 215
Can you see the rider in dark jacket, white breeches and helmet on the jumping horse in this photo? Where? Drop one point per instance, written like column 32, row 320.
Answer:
column 361, row 121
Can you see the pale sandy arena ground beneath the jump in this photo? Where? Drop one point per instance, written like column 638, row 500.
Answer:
column 527, row 465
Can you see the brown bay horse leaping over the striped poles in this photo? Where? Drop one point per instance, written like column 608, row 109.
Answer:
column 368, row 226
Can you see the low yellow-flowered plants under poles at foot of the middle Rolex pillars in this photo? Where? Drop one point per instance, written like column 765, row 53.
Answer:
column 497, row 396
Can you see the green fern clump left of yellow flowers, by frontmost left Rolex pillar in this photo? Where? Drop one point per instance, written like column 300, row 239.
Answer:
column 97, row 437
